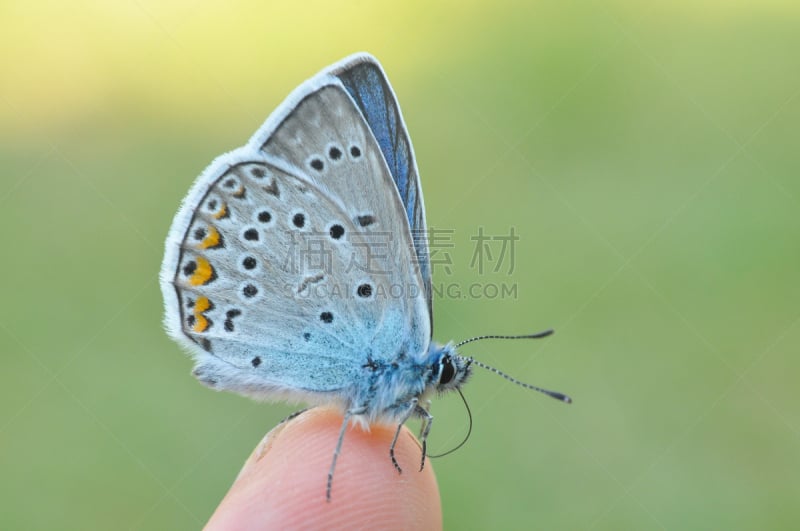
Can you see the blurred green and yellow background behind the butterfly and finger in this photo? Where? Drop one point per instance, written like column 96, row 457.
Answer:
column 645, row 153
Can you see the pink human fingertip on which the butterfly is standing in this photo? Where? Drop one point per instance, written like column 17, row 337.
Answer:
column 282, row 484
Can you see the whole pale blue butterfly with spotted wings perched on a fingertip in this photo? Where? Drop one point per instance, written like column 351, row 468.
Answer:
column 297, row 266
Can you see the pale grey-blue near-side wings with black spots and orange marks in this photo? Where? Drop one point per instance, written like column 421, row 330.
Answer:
column 289, row 266
